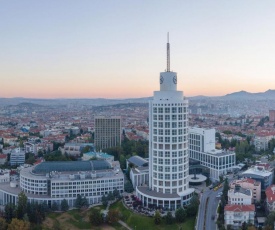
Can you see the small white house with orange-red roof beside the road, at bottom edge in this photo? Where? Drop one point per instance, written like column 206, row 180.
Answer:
column 236, row 215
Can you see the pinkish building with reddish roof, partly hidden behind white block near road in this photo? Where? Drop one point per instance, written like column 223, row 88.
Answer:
column 248, row 183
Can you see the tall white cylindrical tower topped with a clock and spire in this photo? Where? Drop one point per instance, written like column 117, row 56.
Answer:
column 168, row 146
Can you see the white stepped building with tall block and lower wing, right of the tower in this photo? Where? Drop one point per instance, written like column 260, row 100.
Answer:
column 202, row 149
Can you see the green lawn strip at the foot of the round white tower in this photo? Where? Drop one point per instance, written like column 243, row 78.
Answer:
column 140, row 222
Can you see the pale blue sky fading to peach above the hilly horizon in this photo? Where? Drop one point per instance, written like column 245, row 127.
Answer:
column 117, row 49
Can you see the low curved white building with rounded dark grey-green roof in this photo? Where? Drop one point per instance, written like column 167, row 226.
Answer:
column 54, row 181
